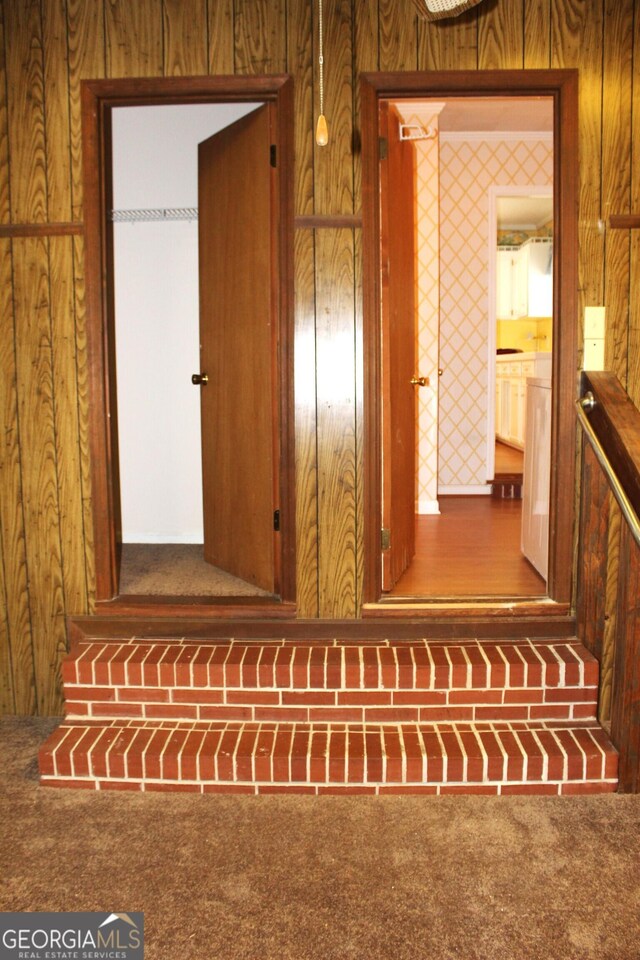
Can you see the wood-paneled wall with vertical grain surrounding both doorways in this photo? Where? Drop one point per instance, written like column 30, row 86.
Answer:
column 46, row 48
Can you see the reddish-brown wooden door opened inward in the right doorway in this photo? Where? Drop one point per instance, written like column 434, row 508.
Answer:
column 399, row 407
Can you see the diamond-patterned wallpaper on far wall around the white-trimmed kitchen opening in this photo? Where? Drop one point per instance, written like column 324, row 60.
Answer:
column 467, row 169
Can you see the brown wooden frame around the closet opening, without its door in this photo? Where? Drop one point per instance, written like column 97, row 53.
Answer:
column 99, row 97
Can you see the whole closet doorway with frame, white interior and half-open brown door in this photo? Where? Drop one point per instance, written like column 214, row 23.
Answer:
column 188, row 255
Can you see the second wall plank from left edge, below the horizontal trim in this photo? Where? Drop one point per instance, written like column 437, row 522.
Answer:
column 38, row 466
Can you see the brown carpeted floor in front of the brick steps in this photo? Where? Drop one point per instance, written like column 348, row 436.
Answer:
column 326, row 879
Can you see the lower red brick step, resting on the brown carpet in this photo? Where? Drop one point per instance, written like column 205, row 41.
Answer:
column 487, row 758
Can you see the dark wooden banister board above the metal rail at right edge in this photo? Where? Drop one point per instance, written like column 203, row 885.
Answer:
column 616, row 421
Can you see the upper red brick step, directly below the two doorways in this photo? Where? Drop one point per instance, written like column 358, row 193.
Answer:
column 306, row 682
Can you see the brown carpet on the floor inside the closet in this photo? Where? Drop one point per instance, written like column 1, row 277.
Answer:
column 178, row 569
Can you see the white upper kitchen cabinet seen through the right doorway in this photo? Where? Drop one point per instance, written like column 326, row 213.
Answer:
column 524, row 280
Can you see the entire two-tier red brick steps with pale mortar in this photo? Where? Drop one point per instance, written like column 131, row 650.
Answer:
column 265, row 716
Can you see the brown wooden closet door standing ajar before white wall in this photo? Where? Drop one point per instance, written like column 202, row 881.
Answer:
column 238, row 312
